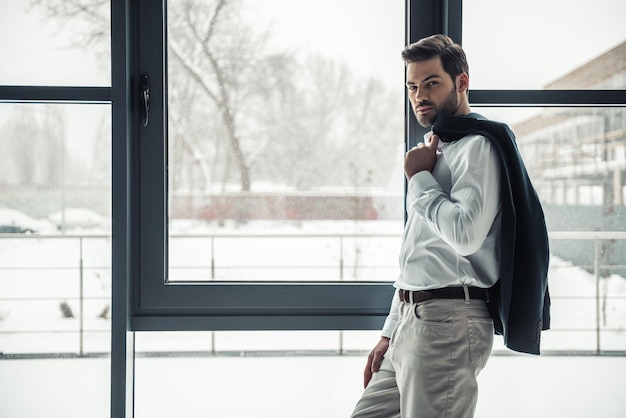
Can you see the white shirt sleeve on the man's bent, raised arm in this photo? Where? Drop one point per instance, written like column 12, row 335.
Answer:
column 462, row 219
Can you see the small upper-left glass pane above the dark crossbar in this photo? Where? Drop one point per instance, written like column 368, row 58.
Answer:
column 55, row 42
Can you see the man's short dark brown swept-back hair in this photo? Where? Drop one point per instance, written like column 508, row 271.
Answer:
column 452, row 56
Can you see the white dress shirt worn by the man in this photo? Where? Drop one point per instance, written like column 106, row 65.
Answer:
column 453, row 226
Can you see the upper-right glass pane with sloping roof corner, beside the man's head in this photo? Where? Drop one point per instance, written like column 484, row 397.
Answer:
column 556, row 44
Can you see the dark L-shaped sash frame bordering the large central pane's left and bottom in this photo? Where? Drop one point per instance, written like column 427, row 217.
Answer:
column 157, row 305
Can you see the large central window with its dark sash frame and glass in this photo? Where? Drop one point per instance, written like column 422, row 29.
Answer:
column 274, row 164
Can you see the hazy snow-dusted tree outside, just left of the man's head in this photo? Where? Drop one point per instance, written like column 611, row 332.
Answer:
column 328, row 126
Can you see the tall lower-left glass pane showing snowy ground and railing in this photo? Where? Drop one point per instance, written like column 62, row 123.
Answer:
column 55, row 260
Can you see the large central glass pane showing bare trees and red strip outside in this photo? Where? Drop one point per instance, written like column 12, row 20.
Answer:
column 285, row 142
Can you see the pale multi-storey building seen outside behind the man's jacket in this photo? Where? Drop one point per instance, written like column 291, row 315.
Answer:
column 576, row 155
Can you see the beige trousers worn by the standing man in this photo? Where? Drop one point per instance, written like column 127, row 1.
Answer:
column 435, row 354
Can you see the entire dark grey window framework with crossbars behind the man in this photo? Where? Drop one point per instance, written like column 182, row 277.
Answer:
column 231, row 305
